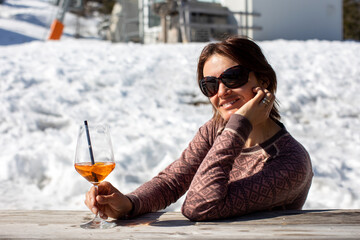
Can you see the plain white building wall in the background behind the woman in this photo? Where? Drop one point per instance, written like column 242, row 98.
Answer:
column 294, row 19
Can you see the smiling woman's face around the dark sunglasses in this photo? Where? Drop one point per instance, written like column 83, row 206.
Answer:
column 227, row 101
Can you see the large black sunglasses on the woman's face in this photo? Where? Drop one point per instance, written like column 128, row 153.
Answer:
column 233, row 77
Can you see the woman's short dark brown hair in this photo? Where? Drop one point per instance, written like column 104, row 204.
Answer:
column 247, row 53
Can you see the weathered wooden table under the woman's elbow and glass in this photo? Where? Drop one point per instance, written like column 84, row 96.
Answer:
column 309, row 224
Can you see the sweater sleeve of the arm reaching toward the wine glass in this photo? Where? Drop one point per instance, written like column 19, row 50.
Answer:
column 170, row 184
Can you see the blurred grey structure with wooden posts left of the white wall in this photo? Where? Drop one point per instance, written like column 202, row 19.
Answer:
column 171, row 21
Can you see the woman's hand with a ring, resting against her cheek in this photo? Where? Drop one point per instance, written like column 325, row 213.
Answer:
column 257, row 109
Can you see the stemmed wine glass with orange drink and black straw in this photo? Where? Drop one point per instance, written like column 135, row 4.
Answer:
column 94, row 160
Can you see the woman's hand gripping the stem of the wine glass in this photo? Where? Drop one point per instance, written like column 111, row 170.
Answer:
column 109, row 201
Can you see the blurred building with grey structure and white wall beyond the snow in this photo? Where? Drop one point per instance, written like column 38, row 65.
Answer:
column 150, row 21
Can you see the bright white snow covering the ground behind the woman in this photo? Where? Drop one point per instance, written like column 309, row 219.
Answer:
column 147, row 95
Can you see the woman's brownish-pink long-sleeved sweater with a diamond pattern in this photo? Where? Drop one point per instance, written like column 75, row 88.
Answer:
column 224, row 179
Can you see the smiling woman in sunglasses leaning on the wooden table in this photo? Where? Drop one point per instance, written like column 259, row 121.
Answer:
column 242, row 160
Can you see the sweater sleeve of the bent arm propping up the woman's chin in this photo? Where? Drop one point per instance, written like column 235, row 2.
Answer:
column 212, row 196
